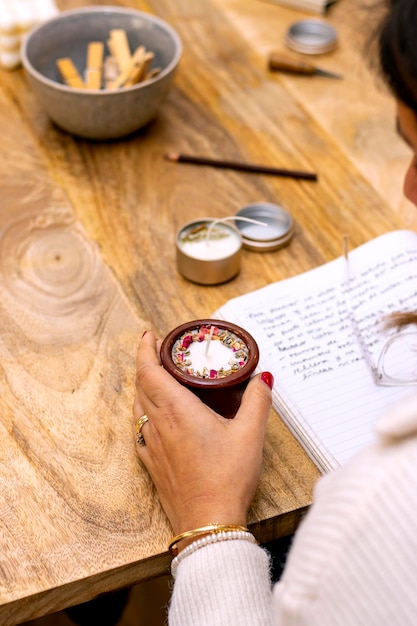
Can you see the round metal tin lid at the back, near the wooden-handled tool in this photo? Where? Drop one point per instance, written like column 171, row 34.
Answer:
column 311, row 37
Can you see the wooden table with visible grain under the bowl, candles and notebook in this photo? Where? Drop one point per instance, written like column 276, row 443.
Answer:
column 87, row 262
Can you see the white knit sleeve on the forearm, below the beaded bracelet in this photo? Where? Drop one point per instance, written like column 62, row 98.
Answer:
column 238, row 572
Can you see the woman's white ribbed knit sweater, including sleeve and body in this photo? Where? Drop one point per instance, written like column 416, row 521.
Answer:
column 353, row 561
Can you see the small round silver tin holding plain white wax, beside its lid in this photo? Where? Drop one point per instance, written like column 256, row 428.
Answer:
column 211, row 271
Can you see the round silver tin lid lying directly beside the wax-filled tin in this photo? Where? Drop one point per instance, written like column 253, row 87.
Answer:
column 277, row 232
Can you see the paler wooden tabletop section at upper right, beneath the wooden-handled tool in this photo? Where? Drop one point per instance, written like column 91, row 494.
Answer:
column 356, row 112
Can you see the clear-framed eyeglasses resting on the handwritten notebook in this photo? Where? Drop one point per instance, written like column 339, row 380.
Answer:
column 396, row 364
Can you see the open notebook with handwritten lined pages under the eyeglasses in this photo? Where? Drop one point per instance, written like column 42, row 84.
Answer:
column 324, row 389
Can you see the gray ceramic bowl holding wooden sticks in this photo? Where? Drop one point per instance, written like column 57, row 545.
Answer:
column 99, row 114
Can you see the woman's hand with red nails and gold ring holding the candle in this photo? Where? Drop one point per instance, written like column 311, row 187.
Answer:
column 205, row 467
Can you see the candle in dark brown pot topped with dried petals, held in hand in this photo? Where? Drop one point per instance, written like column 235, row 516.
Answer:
column 214, row 359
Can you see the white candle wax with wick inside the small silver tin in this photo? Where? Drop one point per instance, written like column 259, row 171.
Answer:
column 222, row 243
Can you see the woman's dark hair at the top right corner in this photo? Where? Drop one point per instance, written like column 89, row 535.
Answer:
column 396, row 41
